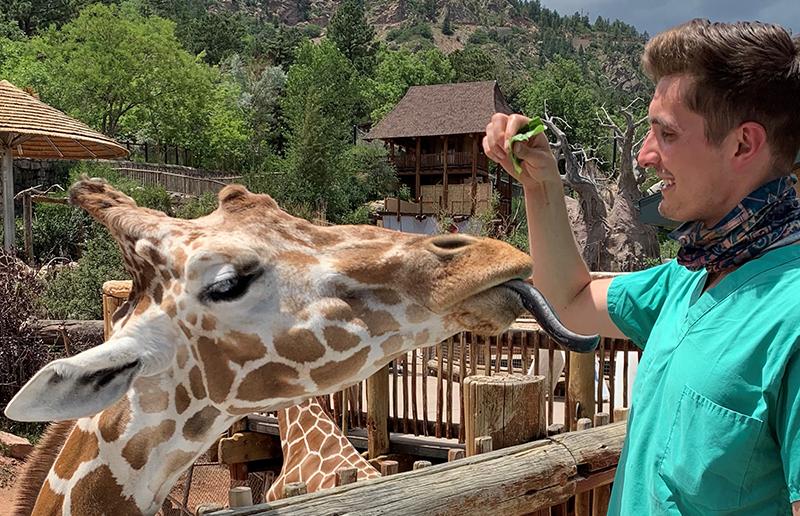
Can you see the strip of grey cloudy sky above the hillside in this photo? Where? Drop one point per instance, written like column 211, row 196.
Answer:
column 654, row 16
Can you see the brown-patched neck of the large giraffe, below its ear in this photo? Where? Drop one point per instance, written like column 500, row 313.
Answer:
column 126, row 459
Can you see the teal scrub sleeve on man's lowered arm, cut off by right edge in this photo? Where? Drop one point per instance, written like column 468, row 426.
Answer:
column 787, row 424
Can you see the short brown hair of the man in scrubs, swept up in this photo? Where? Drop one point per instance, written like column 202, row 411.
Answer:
column 745, row 71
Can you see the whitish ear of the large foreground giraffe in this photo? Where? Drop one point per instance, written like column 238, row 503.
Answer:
column 79, row 386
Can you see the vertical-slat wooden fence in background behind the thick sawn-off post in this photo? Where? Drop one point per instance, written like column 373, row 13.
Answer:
column 426, row 385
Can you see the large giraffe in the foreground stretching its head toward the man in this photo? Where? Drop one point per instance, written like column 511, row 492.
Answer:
column 246, row 309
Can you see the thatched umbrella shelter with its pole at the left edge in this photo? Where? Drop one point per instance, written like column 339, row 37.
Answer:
column 30, row 128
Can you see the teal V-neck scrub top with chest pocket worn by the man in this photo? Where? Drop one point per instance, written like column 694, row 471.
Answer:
column 715, row 415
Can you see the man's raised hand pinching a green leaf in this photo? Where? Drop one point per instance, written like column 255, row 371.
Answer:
column 538, row 163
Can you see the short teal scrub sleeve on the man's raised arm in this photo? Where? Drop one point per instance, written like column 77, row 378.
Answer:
column 635, row 300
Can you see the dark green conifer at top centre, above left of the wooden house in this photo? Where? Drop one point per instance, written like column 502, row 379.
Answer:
column 353, row 35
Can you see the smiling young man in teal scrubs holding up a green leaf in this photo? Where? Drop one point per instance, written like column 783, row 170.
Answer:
column 715, row 419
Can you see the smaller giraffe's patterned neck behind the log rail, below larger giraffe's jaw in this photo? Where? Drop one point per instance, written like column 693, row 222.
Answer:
column 314, row 448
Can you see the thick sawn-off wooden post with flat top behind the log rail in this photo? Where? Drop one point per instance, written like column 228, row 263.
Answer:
column 510, row 408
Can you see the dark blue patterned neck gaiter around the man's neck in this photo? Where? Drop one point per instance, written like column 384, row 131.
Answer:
column 768, row 215
